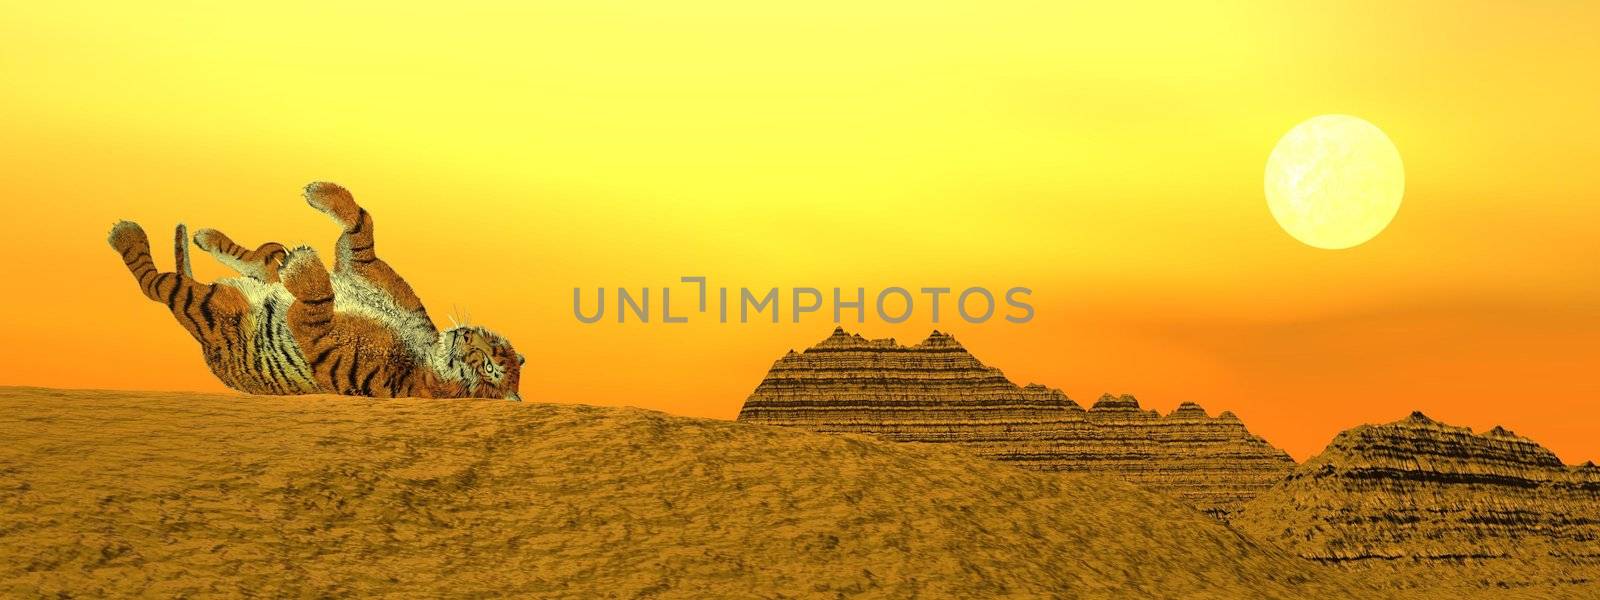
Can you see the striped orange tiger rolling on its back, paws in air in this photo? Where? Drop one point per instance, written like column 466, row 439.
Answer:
column 289, row 327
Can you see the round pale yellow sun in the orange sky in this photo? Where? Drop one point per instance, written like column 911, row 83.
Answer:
column 1335, row 182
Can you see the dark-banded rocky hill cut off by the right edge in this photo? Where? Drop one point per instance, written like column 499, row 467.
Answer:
column 1420, row 495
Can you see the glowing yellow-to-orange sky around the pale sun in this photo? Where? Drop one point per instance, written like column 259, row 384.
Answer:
column 1108, row 158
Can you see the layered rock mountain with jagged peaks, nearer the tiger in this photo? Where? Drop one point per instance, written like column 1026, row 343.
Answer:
column 938, row 393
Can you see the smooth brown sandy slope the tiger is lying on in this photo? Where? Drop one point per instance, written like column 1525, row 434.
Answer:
column 122, row 494
